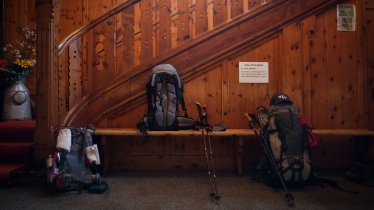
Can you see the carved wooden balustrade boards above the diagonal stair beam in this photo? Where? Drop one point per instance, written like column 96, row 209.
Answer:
column 145, row 31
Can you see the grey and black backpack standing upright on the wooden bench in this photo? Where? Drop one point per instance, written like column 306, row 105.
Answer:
column 164, row 94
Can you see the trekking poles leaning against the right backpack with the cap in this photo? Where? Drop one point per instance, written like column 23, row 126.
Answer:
column 259, row 134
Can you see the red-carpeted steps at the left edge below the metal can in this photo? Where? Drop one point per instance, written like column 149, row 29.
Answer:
column 16, row 144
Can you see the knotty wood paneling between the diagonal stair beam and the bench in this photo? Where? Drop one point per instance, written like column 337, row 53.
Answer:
column 323, row 71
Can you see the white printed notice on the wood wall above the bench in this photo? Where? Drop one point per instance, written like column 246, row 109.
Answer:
column 253, row 72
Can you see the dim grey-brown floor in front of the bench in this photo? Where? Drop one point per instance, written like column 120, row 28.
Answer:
column 188, row 190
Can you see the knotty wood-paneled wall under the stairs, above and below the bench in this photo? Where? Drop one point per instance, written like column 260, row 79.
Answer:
column 323, row 71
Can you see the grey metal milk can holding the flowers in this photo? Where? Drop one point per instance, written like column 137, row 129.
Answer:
column 16, row 102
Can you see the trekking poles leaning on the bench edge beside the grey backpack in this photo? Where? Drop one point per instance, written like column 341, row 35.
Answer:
column 206, row 127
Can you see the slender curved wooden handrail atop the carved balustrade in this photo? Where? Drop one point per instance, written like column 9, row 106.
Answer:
column 82, row 30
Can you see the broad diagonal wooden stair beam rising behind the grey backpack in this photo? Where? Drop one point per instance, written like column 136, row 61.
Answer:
column 254, row 28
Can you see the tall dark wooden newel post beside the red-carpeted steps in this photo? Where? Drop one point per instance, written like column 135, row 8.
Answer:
column 46, row 77
